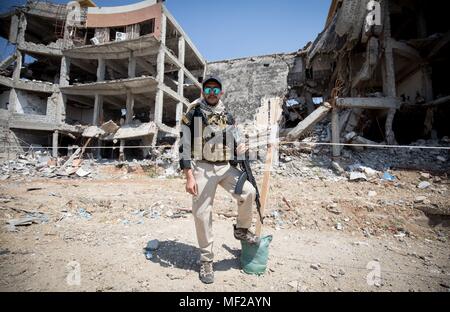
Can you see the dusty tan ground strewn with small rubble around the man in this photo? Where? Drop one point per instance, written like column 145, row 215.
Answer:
column 328, row 236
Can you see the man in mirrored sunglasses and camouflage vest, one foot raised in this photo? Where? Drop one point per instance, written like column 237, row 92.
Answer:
column 205, row 157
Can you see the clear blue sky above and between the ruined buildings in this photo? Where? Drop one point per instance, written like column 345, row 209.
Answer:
column 236, row 28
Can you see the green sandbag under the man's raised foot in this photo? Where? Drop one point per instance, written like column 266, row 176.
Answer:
column 254, row 256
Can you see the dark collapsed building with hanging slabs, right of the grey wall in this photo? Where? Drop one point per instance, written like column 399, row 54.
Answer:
column 381, row 65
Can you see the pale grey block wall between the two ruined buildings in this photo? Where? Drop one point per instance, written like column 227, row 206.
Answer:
column 247, row 81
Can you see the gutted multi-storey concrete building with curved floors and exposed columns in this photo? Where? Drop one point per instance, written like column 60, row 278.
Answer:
column 120, row 75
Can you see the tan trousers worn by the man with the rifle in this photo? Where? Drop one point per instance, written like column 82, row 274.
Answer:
column 208, row 176
